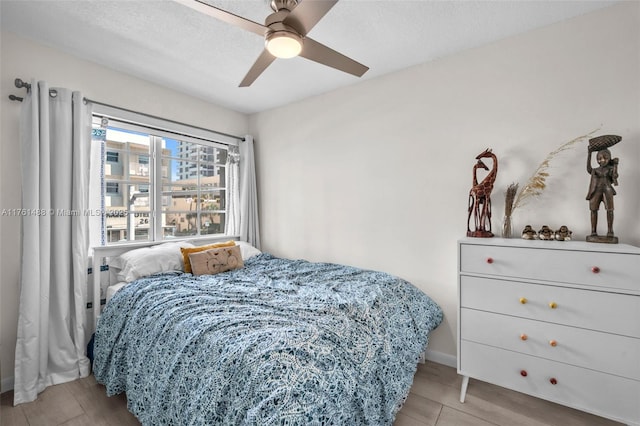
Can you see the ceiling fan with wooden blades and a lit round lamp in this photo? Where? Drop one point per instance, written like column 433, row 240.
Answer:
column 285, row 32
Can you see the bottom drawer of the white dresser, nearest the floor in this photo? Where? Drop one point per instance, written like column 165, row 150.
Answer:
column 599, row 393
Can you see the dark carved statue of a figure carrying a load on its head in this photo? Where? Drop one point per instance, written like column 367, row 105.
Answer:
column 601, row 189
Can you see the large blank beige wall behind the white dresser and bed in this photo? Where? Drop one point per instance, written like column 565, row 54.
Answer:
column 377, row 175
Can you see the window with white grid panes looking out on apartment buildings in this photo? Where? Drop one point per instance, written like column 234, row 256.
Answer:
column 156, row 185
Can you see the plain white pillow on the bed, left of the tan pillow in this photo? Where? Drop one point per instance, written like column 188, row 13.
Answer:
column 146, row 261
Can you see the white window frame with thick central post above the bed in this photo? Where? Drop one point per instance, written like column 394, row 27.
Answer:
column 158, row 129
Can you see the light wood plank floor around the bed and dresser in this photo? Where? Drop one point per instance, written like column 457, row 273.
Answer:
column 433, row 401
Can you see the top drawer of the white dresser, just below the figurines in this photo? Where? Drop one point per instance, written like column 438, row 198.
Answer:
column 612, row 270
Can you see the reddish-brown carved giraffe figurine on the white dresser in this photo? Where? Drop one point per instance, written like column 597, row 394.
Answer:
column 480, row 197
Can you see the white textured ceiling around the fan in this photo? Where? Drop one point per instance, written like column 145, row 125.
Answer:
column 174, row 46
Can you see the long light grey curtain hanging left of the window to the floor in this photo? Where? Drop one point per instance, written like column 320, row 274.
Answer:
column 55, row 128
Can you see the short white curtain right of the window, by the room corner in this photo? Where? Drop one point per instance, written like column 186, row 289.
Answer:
column 249, row 226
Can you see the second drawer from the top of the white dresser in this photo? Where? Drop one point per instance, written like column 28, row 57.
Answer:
column 601, row 311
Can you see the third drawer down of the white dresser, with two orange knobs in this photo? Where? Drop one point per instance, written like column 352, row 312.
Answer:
column 609, row 353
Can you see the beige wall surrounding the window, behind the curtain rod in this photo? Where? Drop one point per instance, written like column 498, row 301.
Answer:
column 23, row 59
